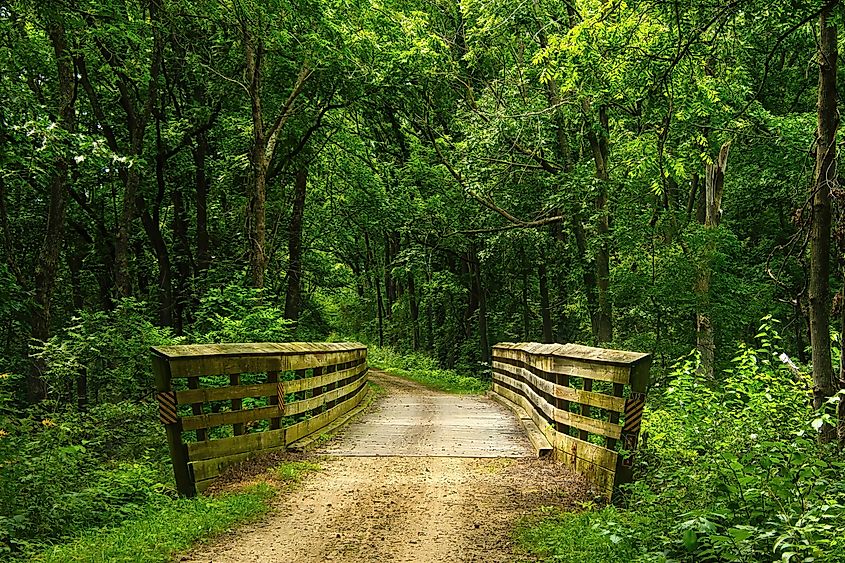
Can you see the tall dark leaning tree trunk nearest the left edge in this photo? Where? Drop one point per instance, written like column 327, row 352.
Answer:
column 47, row 264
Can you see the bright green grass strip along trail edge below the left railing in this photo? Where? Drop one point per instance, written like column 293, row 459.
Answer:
column 164, row 530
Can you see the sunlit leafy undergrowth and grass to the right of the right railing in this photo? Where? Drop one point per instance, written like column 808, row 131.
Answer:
column 731, row 471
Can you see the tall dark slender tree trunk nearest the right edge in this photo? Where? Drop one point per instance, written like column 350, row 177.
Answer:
column 824, row 181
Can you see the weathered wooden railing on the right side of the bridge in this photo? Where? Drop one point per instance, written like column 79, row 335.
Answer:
column 586, row 401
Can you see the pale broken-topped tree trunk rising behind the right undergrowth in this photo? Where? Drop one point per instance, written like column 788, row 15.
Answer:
column 714, row 184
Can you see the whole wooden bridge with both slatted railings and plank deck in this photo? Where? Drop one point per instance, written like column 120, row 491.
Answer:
column 222, row 404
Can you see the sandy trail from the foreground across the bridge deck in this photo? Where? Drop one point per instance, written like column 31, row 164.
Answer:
column 418, row 506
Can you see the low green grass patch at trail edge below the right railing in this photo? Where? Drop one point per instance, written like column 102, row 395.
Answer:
column 582, row 537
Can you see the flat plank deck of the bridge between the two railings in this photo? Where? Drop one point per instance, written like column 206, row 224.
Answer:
column 413, row 421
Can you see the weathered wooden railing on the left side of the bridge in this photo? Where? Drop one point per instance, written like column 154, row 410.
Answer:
column 224, row 403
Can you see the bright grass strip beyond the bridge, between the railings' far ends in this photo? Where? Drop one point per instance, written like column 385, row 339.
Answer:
column 423, row 369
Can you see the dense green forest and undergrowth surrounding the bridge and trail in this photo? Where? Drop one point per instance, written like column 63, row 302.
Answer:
column 430, row 178
